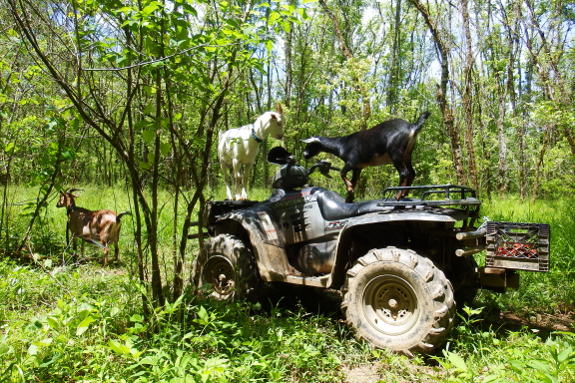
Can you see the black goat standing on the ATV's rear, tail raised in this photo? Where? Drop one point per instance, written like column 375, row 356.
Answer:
column 389, row 142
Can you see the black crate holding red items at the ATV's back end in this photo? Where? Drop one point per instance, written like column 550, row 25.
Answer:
column 518, row 246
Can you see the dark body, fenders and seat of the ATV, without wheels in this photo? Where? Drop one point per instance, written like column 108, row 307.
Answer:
column 305, row 236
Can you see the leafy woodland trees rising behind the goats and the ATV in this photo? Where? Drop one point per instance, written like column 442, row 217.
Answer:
column 132, row 94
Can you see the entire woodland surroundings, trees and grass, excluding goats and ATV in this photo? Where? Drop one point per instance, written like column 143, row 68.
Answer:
column 126, row 99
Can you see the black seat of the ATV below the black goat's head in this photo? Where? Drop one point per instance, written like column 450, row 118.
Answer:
column 333, row 206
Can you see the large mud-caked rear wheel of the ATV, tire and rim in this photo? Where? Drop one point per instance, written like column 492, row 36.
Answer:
column 397, row 299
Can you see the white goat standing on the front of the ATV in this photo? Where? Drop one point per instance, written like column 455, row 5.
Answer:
column 238, row 147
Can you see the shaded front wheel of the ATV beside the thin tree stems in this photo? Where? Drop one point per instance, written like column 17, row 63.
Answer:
column 226, row 266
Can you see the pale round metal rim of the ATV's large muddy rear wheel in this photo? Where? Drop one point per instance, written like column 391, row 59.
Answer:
column 390, row 304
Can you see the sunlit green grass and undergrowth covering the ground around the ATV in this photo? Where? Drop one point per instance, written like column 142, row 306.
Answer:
column 82, row 323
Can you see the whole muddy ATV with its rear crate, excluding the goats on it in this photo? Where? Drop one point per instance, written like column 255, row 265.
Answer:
column 400, row 265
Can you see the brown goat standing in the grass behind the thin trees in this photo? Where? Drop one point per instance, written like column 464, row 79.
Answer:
column 100, row 227
